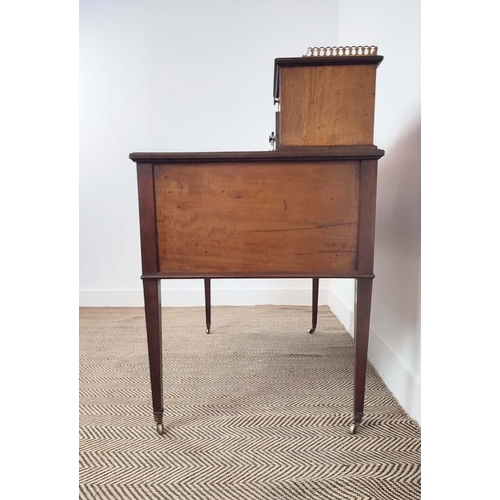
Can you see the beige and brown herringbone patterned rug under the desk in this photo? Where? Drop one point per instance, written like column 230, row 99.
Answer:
column 258, row 409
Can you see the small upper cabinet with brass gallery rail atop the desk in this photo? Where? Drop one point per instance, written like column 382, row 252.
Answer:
column 327, row 98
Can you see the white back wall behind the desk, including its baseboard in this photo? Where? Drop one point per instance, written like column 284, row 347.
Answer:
column 177, row 76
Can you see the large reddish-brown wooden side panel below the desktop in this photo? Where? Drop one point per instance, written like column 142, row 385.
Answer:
column 264, row 218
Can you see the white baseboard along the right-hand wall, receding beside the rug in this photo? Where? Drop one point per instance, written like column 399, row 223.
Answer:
column 398, row 377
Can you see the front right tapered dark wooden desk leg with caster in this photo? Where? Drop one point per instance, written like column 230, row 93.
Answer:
column 362, row 331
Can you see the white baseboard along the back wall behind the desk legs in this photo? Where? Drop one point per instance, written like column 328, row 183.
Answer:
column 236, row 295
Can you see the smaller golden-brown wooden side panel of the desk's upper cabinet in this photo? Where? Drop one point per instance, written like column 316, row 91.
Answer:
column 327, row 105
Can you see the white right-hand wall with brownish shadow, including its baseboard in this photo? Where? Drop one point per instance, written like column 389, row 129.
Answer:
column 394, row 350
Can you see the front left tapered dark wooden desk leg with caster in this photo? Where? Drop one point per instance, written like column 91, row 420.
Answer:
column 152, row 303
